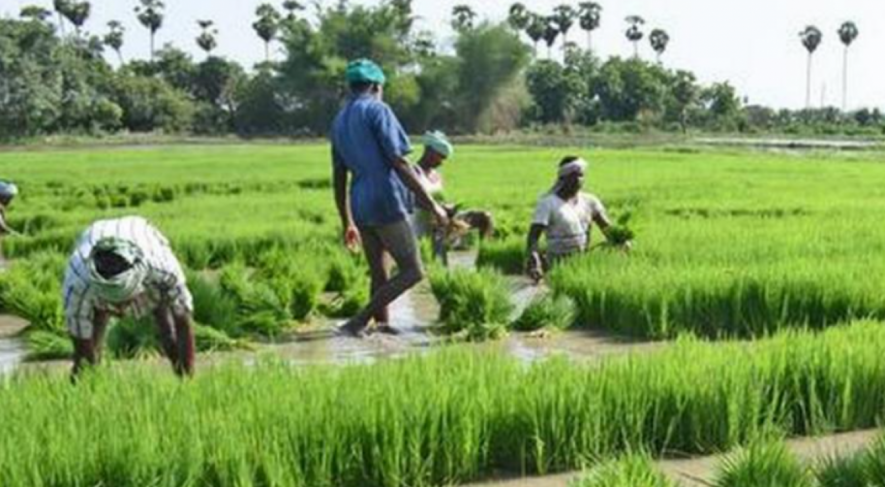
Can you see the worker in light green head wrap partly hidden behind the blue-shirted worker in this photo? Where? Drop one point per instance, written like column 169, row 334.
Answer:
column 438, row 149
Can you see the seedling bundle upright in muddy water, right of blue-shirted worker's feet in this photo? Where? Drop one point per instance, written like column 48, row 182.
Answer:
column 473, row 303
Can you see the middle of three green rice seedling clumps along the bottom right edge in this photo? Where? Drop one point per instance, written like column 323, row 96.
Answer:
column 764, row 463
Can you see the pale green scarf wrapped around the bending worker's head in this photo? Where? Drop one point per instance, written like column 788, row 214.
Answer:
column 125, row 285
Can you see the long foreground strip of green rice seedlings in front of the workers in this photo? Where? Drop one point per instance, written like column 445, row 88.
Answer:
column 448, row 417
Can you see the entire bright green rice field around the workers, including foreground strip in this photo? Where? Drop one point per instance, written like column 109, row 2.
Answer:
column 760, row 273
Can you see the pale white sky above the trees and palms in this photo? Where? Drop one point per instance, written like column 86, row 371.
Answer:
column 752, row 43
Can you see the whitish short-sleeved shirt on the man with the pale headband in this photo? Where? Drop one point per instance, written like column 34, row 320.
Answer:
column 568, row 222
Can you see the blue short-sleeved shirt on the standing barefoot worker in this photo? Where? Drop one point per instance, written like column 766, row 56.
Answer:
column 366, row 139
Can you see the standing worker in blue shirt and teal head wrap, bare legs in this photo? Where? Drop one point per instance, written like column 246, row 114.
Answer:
column 369, row 142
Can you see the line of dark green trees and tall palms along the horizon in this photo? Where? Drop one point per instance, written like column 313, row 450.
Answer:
column 55, row 76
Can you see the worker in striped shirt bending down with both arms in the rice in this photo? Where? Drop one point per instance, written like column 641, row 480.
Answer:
column 125, row 266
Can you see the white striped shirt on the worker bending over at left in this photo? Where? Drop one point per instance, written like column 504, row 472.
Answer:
column 164, row 285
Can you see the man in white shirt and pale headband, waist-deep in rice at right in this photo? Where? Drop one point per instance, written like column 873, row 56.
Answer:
column 566, row 215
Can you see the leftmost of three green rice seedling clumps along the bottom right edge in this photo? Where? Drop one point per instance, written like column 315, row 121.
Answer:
column 629, row 471
